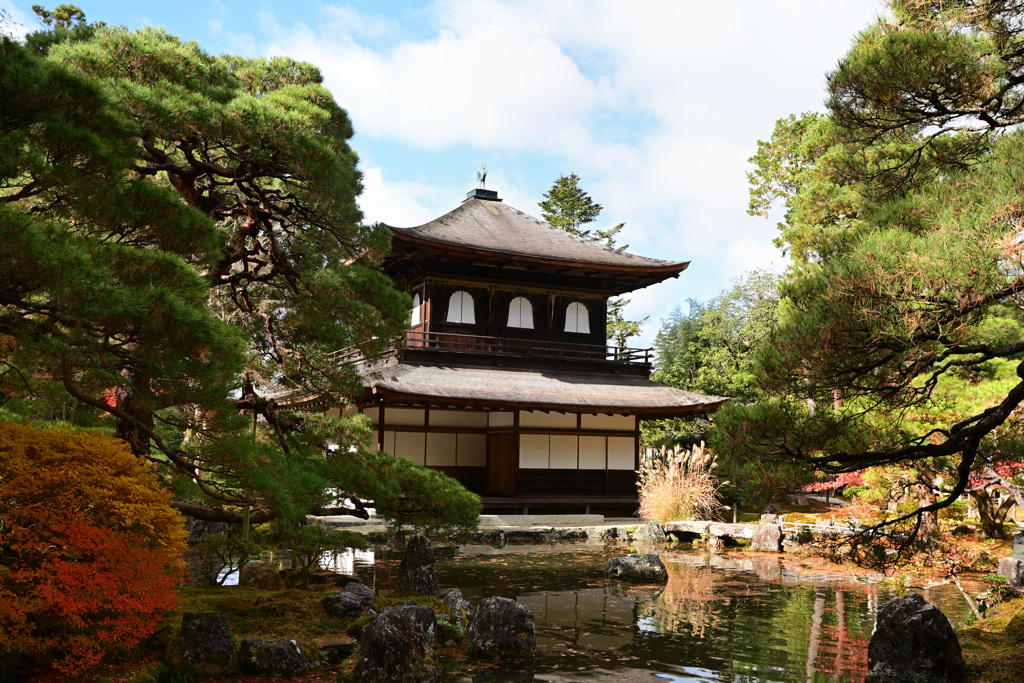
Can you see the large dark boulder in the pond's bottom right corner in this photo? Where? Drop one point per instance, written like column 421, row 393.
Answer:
column 914, row 644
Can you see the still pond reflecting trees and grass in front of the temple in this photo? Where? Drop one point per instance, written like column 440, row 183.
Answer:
column 729, row 617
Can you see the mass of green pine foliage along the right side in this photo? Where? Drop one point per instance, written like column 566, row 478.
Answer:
column 903, row 209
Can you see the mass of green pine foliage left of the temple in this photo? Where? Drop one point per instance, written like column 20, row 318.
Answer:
column 146, row 283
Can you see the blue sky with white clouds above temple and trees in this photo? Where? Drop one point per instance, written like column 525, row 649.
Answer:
column 656, row 106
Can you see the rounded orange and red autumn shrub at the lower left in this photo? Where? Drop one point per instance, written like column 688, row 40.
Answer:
column 91, row 549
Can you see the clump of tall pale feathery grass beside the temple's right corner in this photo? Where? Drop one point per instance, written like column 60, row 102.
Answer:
column 679, row 485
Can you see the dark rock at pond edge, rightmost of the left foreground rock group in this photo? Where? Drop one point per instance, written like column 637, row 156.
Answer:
column 502, row 628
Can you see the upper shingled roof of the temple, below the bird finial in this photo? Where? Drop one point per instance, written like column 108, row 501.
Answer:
column 493, row 227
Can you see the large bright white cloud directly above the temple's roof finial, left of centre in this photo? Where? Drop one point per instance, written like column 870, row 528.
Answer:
column 489, row 88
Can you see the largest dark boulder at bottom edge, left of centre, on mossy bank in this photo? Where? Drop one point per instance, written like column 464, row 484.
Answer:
column 393, row 650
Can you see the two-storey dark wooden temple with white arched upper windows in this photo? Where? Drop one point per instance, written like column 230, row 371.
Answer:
column 505, row 380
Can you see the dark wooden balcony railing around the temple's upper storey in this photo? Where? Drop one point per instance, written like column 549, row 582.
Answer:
column 446, row 341
